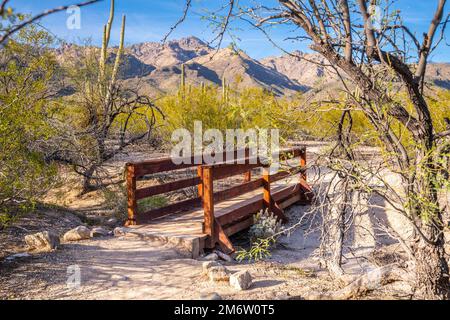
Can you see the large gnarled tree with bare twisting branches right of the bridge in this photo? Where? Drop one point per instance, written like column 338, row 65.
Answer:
column 378, row 58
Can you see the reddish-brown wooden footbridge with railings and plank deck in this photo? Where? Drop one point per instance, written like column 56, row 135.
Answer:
column 215, row 213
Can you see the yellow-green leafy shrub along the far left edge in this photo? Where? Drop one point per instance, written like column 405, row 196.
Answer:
column 27, row 73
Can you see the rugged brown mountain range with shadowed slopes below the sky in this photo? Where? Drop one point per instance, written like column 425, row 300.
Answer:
column 157, row 68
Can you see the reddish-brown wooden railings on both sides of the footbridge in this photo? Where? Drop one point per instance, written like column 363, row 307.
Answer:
column 206, row 194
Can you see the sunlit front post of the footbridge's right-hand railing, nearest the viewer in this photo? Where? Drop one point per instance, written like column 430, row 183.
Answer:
column 208, row 204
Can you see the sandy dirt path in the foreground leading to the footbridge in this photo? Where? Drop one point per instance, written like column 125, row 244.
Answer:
column 124, row 268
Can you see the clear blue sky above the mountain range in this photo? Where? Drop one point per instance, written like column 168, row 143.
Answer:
column 150, row 20
